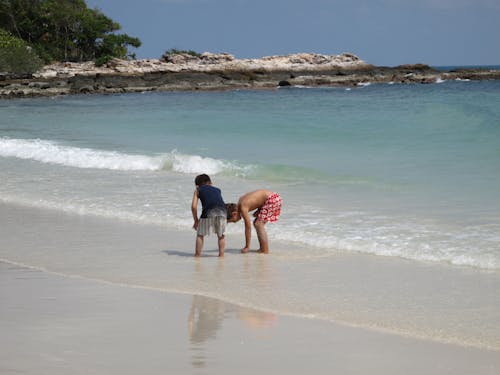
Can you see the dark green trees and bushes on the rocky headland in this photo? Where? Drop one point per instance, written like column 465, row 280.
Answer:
column 57, row 30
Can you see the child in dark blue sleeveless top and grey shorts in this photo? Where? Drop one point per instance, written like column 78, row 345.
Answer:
column 213, row 214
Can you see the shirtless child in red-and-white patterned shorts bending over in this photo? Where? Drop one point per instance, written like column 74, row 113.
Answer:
column 268, row 206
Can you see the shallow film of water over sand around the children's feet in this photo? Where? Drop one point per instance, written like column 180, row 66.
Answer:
column 410, row 300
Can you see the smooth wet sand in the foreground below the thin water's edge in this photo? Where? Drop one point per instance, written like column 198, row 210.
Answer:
column 52, row 324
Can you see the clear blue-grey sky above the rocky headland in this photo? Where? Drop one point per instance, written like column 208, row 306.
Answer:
column 380, row 32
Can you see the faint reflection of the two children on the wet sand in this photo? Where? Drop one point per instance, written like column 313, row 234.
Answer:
column 205, row 320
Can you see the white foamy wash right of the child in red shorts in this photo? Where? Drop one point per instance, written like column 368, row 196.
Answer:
column 396, row 241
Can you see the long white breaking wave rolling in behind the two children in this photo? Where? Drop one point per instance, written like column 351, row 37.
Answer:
column 51, row 152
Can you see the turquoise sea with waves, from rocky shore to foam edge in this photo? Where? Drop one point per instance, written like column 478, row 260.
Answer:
column 411, row 171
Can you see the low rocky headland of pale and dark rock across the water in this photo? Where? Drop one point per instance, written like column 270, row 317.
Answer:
column 221, row 72
